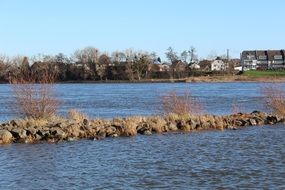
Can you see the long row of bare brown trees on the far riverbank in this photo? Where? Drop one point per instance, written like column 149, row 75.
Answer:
column 91, row 64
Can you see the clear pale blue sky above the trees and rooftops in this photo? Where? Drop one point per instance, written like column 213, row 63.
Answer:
column 29, row 27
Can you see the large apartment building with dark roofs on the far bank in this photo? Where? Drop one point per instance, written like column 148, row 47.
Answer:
column 263, row 59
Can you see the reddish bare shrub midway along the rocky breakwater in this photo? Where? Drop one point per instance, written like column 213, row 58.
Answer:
column 182, row 104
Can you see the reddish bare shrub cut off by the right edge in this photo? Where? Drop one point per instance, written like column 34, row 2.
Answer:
column 274, row 98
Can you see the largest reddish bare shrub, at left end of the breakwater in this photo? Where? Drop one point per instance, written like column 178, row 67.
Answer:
column 34, row 98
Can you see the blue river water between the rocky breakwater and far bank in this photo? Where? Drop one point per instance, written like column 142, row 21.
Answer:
column 111, row 100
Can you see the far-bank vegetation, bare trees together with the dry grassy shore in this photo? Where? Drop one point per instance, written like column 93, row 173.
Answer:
column 90, row 65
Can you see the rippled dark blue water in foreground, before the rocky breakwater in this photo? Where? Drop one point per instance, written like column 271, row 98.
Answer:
column 248, row 158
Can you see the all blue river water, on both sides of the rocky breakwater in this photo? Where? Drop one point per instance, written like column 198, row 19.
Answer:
column 250, row 158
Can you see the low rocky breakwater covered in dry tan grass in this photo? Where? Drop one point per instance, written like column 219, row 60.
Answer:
column 59, row 129
